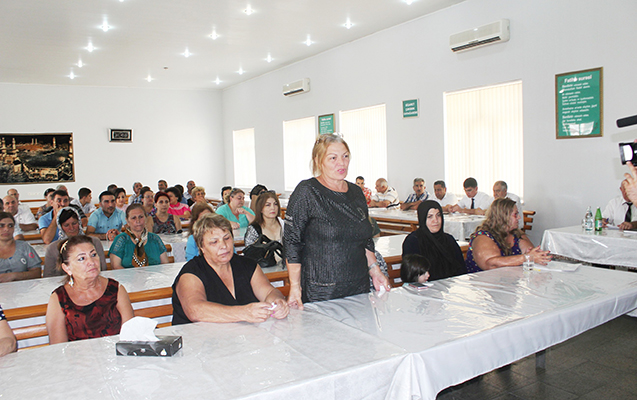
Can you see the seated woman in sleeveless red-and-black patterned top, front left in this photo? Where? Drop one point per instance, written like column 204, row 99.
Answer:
column 87, row 305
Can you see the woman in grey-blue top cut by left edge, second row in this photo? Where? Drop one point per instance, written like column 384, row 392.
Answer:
column 18, row 260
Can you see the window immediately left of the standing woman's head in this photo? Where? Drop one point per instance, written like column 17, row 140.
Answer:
column 298, row 139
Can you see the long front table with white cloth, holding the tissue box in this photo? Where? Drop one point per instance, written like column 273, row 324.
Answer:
column 394, row 346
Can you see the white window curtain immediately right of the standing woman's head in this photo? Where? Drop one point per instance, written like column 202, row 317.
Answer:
column 365, row 131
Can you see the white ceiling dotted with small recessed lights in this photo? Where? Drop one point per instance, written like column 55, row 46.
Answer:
column 41, row 41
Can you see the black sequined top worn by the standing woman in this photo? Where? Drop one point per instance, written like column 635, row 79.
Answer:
column 327, row 232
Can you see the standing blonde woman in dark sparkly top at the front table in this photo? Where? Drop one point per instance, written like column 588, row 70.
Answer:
column 328, row 237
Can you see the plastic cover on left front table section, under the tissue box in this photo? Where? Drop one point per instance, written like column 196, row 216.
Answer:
column 306, row 356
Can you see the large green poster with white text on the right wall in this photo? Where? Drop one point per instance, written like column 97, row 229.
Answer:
column 579, row 104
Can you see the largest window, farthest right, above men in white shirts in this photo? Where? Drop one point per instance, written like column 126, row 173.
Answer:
column 483, row 137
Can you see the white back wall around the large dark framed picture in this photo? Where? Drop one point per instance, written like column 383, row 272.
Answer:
column 176, row 134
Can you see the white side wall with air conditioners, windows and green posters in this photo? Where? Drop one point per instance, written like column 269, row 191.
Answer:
column 548, row 37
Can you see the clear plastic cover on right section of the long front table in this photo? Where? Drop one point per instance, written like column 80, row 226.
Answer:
column 468, row 325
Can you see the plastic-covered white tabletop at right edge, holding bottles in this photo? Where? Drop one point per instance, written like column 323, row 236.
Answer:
column 610, row 247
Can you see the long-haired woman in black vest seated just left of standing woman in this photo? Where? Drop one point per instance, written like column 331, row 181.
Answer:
column 267, row 221
